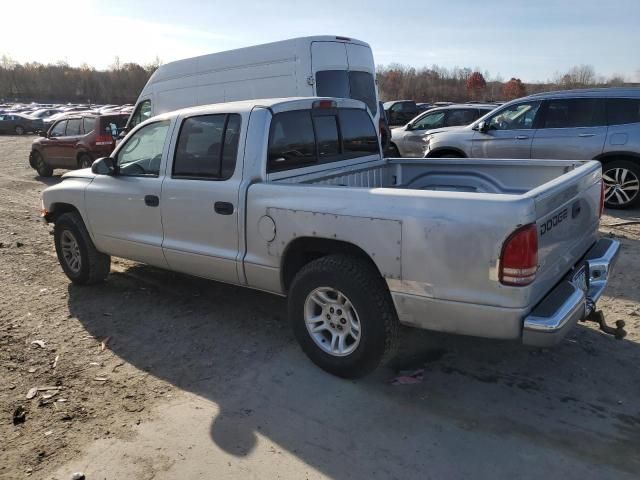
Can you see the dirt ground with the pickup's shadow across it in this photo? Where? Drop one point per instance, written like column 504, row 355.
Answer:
column 159, row 375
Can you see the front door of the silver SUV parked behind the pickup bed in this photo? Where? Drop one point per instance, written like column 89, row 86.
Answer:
column 510, row 132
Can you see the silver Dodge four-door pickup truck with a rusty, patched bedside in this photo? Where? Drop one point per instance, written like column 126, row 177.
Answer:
column 293, row 197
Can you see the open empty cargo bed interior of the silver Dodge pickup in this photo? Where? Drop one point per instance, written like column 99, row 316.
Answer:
column 514, row 177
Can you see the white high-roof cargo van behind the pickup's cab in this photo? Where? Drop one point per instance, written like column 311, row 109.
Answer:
column 323, row 66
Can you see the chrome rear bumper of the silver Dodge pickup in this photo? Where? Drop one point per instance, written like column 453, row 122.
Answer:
column 566, row 304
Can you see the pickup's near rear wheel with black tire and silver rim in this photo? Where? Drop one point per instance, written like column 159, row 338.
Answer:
column 367, row 305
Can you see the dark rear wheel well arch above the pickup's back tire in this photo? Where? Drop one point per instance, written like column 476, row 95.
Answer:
column 304, row 250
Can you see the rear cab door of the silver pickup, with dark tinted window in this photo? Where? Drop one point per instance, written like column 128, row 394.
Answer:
column 200, row 199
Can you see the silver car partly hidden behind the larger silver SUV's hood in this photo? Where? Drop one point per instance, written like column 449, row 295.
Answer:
column 408, row 140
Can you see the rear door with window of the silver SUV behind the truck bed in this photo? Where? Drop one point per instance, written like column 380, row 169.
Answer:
column 572, row 128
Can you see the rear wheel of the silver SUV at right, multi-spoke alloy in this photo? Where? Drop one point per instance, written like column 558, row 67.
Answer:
column 622, row 184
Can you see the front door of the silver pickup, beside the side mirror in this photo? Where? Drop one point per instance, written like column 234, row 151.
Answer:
column 124, row 210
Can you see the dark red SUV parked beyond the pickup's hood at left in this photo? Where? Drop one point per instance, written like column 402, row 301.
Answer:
column 75, row 142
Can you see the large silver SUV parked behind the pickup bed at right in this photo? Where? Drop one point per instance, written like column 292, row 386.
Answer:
column 601, row 124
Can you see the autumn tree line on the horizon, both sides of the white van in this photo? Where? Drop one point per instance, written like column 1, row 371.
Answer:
column 122, row 83
